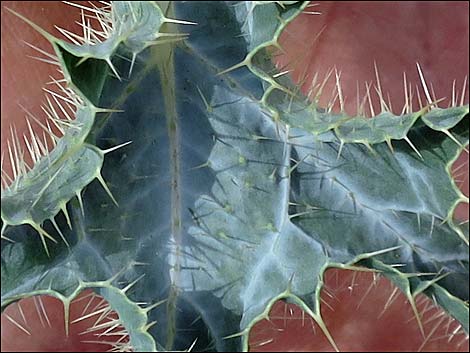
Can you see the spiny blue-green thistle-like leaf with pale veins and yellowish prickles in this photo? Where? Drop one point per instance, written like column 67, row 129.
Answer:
column 192, row 185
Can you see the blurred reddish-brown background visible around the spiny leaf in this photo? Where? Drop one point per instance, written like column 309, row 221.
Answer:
column 396, row 35
